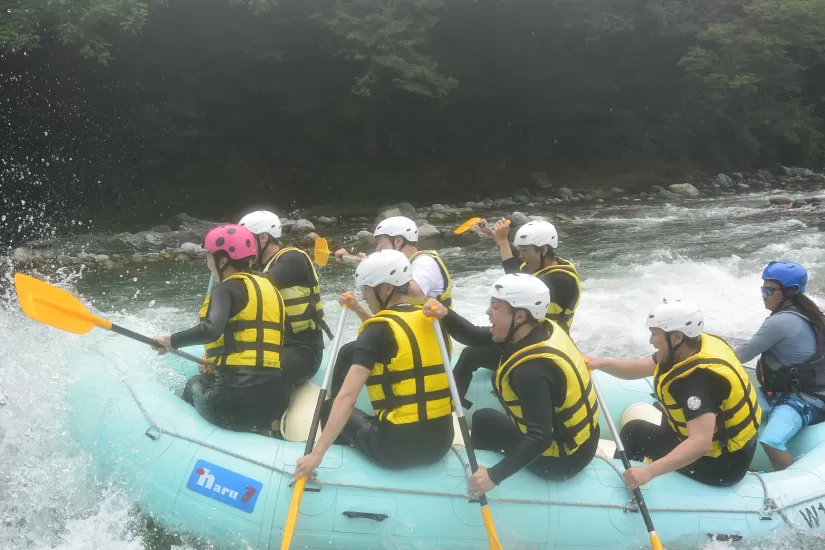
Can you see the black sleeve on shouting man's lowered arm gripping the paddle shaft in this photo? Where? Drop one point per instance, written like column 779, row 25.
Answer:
column 532, row 383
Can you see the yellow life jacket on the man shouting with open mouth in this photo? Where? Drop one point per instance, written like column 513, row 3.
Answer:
column 578, row 416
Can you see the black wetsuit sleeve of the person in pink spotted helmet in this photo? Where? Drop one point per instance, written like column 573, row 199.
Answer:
column 227, row 299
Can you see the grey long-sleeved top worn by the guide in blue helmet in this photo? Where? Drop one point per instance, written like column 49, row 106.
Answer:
column 790, row 339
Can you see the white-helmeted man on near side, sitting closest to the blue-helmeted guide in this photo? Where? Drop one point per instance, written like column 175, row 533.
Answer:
column 710, row 410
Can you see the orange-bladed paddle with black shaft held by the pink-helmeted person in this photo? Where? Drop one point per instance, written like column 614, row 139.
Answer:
column 57, row 308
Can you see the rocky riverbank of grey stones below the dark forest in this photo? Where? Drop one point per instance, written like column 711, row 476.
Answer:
column 179, row 239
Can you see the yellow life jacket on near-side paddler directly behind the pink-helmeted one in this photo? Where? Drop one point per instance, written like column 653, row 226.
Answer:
column 413, row 387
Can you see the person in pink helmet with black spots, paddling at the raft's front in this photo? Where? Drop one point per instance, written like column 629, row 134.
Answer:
column 241, row 327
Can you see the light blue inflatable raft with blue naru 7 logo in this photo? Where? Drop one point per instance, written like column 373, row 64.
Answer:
column 234, row 488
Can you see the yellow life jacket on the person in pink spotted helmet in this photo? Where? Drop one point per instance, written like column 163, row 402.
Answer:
column 254, row 336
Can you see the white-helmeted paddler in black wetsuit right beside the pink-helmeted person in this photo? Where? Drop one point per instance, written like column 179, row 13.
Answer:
column 293, row 274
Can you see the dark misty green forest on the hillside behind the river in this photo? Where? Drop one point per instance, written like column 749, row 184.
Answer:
column 126, row 110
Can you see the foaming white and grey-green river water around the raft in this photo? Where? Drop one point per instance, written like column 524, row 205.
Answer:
column 630, row 257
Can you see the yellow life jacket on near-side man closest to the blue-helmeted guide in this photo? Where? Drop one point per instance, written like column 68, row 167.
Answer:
column 738, row 420
